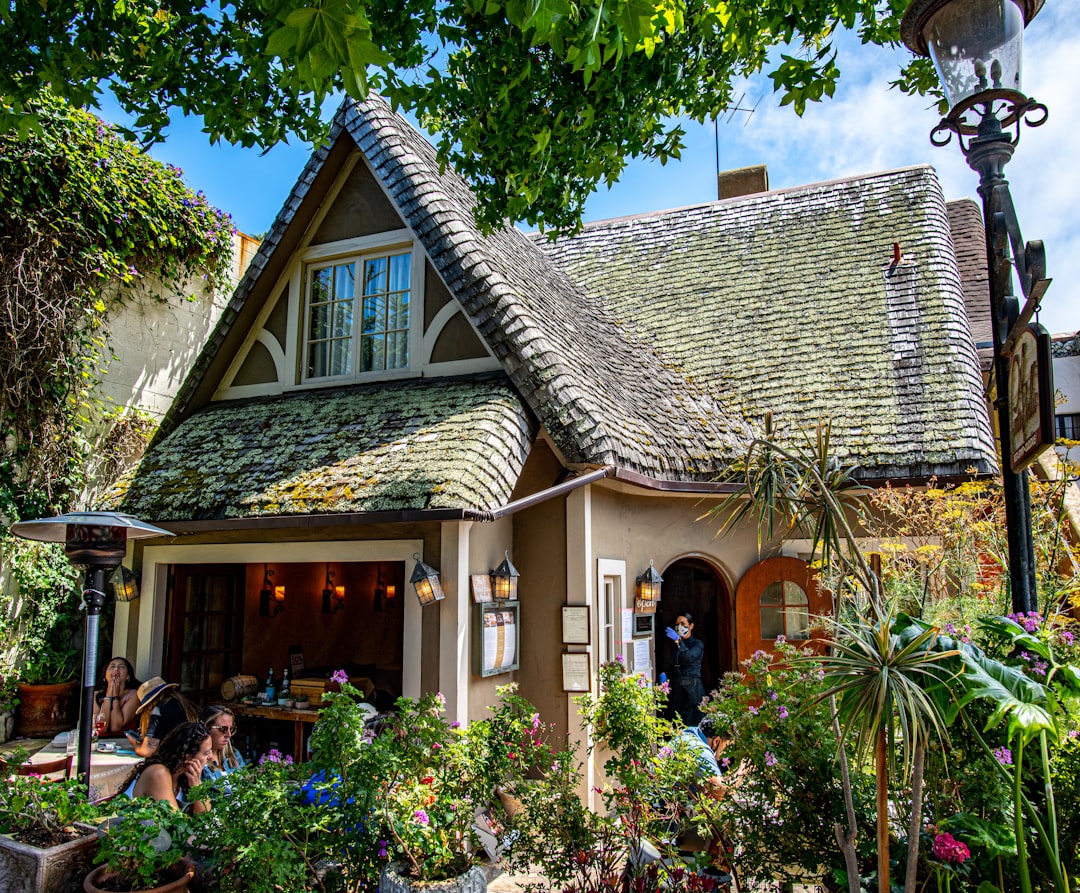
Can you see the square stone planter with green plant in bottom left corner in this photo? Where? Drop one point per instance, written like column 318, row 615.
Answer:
column 47, row 845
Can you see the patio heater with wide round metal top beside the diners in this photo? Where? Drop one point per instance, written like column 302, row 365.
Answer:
column 96, row 544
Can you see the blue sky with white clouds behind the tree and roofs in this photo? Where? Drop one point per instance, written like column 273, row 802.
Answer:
column 866, row 128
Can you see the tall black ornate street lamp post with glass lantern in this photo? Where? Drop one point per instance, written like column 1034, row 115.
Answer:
column 976, row 47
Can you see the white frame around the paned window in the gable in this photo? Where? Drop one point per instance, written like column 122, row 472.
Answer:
column 398, row 242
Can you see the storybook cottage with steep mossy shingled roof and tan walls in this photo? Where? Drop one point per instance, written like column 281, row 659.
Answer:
column 388, row 386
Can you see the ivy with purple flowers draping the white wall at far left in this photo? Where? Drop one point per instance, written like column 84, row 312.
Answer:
column 87, row 222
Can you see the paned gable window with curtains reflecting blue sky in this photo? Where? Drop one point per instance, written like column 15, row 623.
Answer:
column 358, row 316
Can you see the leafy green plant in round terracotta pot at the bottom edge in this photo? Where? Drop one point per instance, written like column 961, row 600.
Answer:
column 143, row 849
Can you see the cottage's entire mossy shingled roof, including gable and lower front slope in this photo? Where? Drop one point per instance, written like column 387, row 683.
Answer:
column 647, row 344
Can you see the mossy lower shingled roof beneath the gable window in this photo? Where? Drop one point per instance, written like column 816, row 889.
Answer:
column 414, row 445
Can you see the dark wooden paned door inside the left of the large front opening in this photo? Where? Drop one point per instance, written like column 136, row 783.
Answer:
column 205, row 629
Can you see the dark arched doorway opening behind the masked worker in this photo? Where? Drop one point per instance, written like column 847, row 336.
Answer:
column 694, row 586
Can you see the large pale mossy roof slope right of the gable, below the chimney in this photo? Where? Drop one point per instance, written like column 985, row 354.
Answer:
column 791, row 302
